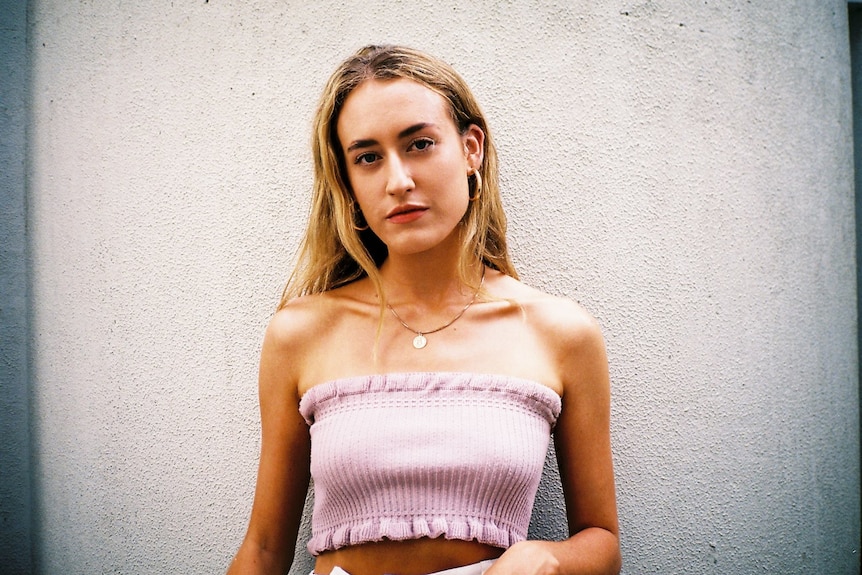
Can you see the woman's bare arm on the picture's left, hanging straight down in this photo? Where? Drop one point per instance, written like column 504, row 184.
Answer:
column 283, row 472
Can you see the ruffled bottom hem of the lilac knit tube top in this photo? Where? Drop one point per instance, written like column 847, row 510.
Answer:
column 398, row 529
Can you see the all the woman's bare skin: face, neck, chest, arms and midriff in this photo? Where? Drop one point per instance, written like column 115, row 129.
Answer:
column 407, row 165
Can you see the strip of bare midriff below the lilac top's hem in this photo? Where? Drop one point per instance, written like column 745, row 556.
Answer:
column 413, row 557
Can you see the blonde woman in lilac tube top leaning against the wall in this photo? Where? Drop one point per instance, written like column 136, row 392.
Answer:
column 408, row 370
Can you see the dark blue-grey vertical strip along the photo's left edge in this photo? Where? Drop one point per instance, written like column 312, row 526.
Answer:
column 16, row 549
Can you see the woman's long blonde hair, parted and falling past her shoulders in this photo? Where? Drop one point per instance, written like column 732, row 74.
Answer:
column 333, row 252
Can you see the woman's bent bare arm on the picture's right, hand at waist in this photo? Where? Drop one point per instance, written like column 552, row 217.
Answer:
column 583, row 446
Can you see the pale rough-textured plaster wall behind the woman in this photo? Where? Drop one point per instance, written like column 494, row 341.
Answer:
column 682, row 168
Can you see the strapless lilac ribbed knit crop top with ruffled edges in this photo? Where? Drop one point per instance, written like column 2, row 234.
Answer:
column 409, row 455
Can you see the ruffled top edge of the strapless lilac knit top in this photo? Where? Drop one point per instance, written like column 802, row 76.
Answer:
column 540, row 397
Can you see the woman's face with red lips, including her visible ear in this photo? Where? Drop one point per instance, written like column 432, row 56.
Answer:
column 406, row 163
